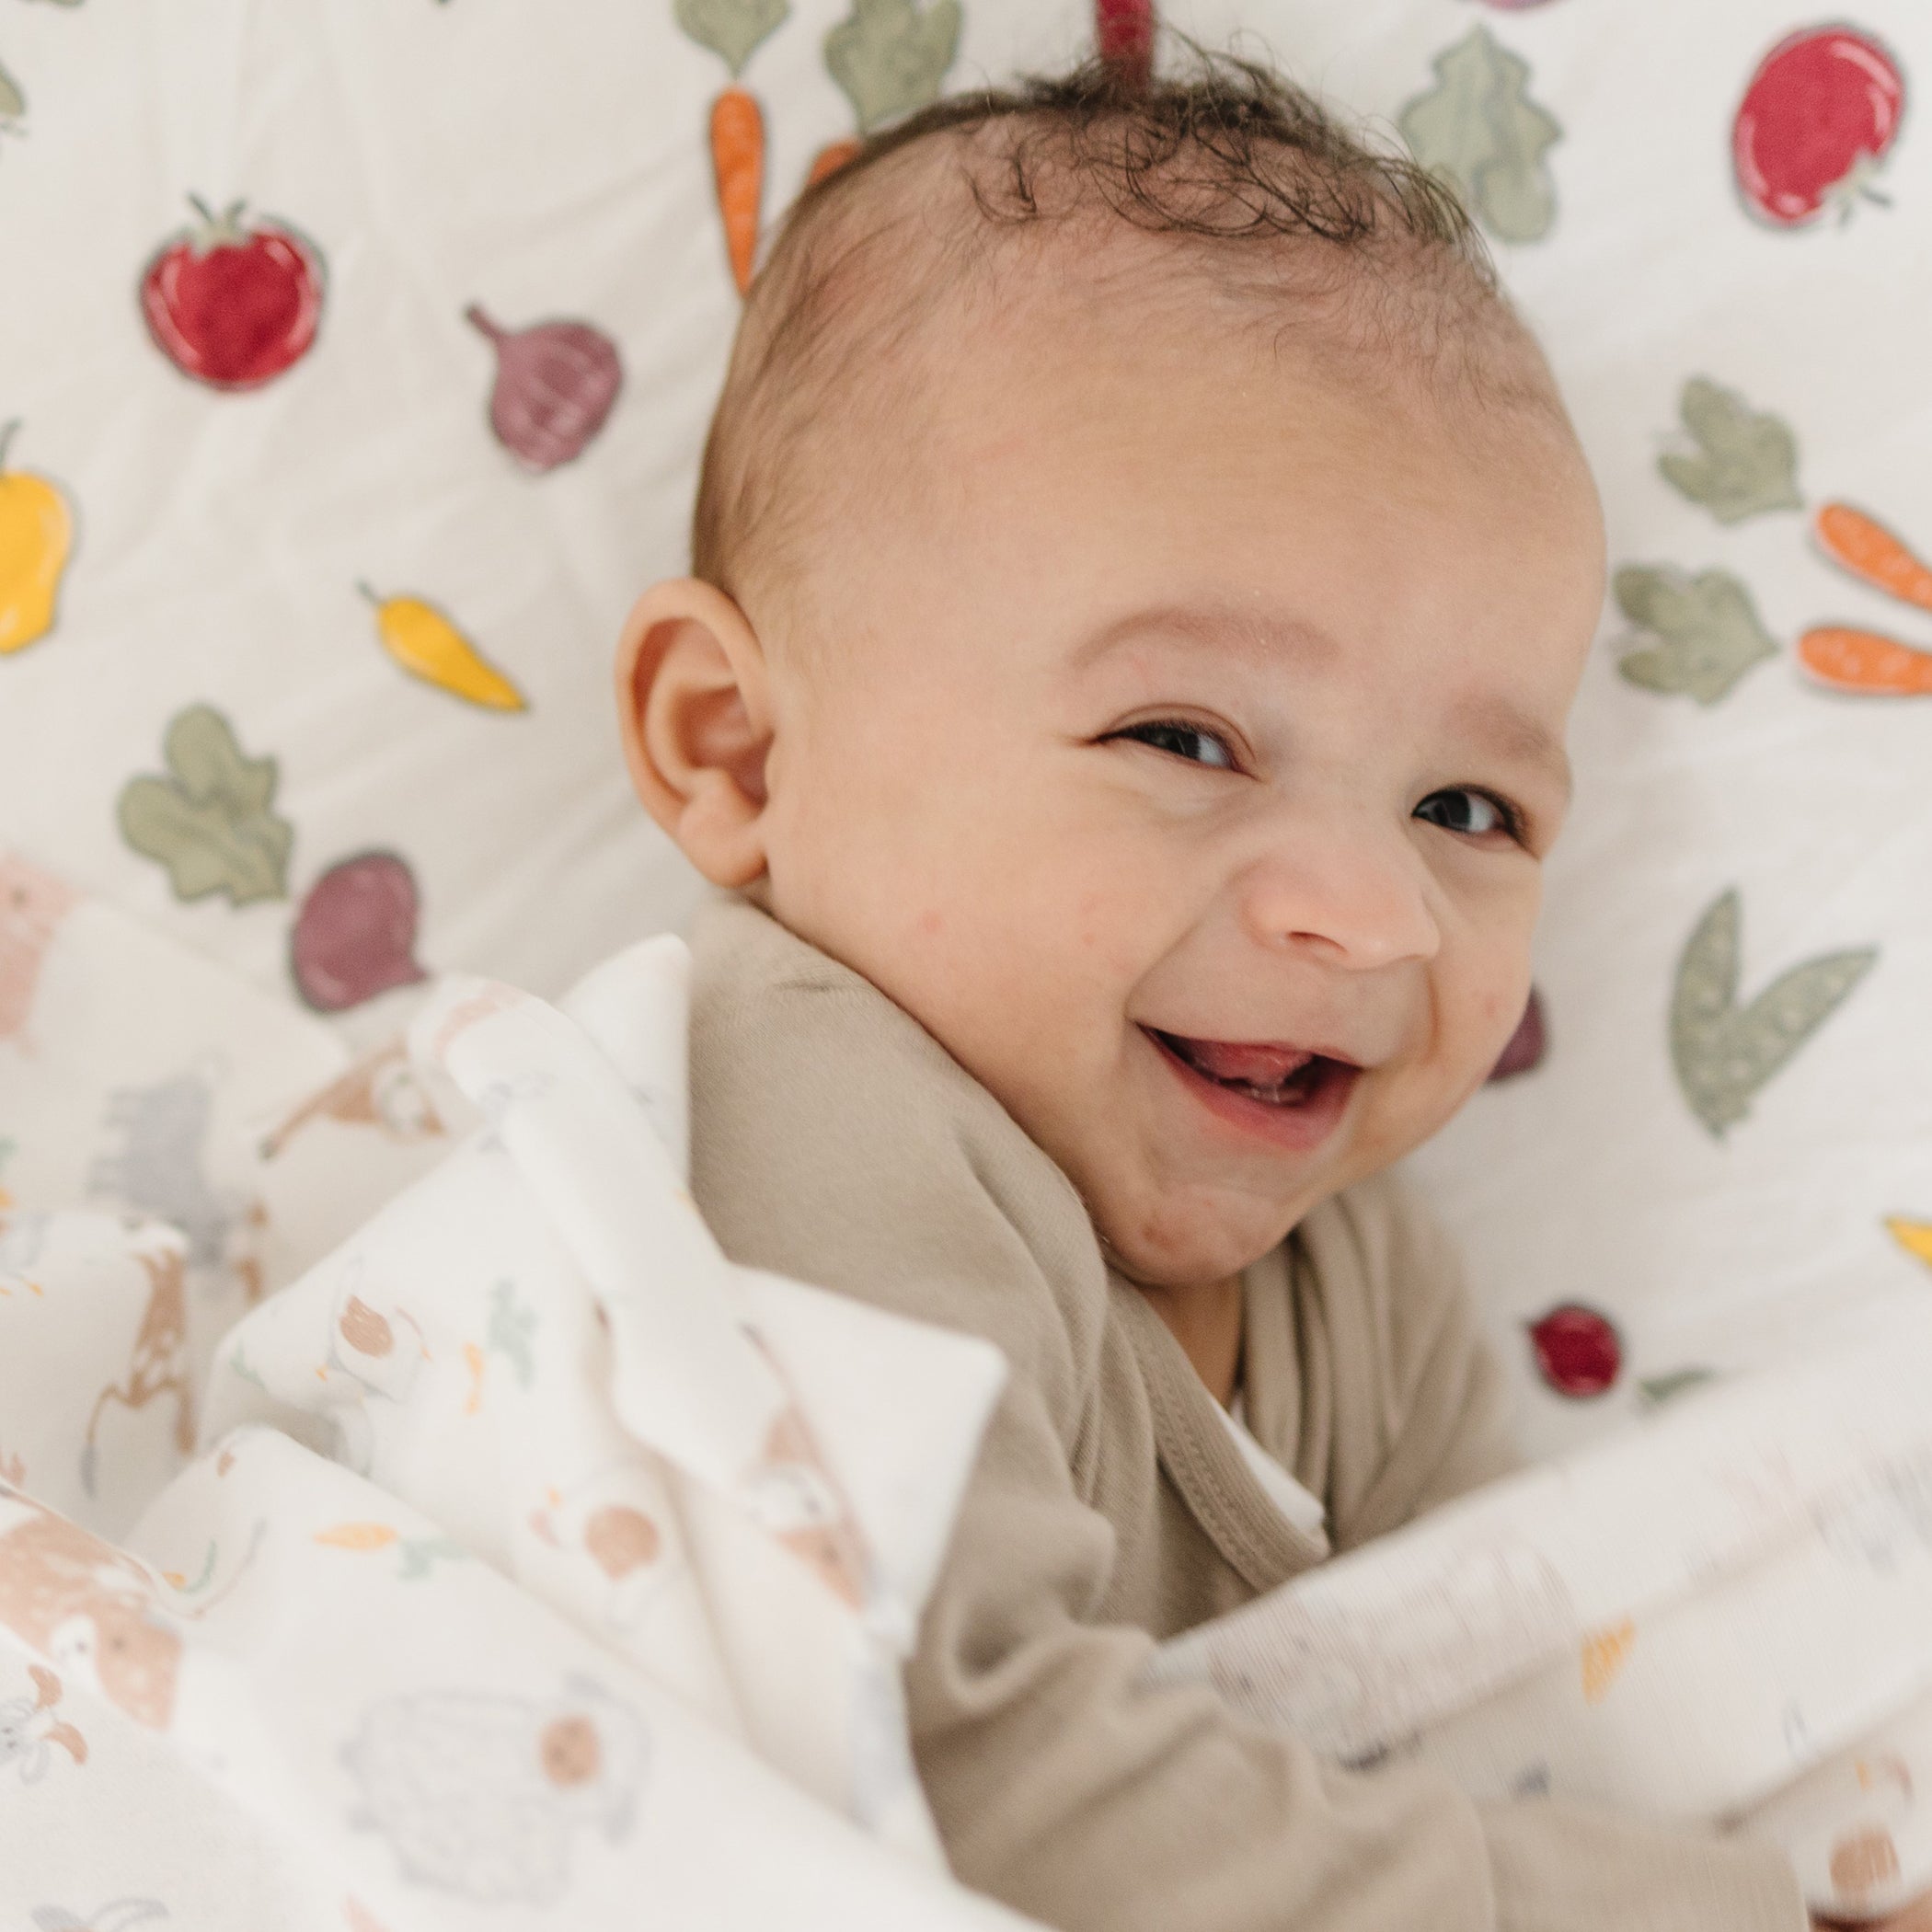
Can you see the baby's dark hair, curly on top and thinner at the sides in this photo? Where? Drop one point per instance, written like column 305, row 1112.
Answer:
column 1247, row 185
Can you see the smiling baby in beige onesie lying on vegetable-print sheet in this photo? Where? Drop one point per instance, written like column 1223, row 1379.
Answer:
column 1143, row 571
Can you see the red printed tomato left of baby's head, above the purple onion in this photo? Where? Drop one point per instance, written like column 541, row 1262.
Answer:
column 235, row 302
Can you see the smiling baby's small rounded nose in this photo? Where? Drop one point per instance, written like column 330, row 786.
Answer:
column 1346, row 892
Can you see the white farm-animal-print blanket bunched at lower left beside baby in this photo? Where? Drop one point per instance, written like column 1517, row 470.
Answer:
column 515, row 1562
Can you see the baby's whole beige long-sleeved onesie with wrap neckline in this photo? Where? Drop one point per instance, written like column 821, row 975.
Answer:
column 836, row 1141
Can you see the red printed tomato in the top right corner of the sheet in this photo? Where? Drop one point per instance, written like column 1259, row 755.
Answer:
column 1815, row 125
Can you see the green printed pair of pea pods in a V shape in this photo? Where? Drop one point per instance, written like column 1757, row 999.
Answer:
column 1724, row 1054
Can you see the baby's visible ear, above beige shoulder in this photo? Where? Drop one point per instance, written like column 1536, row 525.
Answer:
column 695, row 708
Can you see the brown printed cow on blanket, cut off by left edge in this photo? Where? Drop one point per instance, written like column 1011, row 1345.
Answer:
column 88, row 1608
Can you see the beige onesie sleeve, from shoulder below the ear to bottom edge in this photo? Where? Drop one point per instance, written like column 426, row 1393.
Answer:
column 1062, row 1784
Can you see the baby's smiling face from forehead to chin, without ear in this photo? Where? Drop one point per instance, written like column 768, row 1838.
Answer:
column 1183, row 716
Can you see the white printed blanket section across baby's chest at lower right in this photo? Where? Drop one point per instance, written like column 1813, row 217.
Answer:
column 1720, row 1616
